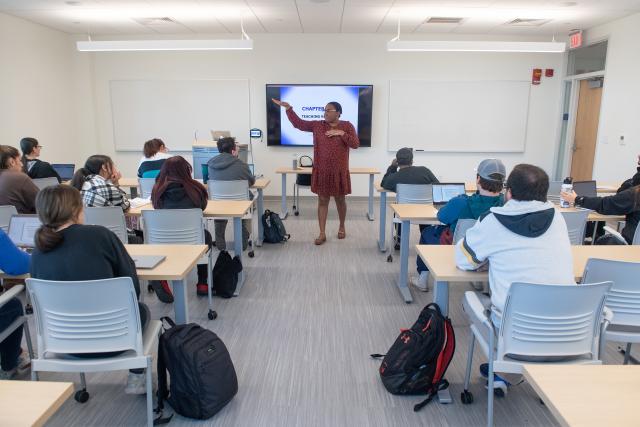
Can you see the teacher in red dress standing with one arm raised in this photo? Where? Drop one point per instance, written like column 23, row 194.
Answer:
column 330, row 177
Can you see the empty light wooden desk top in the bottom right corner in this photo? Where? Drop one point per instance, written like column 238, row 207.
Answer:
column 569, row 393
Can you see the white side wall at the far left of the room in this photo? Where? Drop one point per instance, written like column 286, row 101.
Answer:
column 40, row 87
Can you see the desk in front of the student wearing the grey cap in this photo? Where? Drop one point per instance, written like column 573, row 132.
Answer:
column 426, row 213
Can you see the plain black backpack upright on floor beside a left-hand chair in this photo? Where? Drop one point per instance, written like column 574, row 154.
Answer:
column 202, row 377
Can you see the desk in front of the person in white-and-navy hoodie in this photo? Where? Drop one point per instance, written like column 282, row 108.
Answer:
column 440, row 260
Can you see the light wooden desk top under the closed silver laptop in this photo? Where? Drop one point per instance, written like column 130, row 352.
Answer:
column 181, row 259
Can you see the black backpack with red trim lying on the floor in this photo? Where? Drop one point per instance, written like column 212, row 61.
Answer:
column 418, row 359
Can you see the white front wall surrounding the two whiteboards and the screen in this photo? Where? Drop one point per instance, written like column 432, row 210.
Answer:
column 331, row 58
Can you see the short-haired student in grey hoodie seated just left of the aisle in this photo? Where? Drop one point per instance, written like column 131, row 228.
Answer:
column 226, row 166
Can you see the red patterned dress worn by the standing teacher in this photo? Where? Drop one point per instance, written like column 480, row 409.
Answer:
column 330, row 175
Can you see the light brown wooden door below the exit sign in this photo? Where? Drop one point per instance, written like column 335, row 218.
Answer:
column 587, row 119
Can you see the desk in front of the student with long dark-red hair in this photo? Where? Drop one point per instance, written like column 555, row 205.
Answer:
column 235, row 209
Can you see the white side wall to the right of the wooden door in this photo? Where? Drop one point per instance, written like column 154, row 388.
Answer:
column 620, row 110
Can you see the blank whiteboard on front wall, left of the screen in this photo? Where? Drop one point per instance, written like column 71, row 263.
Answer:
column 177, row 111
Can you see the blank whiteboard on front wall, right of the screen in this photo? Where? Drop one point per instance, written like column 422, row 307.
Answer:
column 466, row 116
